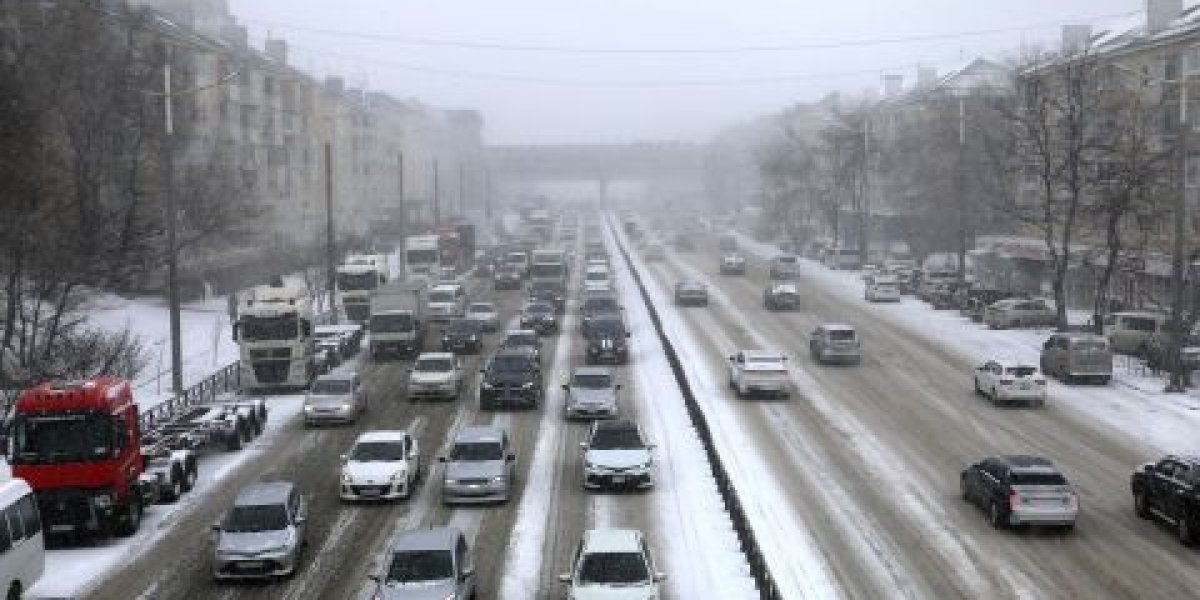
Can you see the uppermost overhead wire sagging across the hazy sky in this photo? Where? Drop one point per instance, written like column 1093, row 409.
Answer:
column 730, row 50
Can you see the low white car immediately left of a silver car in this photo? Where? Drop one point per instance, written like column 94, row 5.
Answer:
column 381, row 466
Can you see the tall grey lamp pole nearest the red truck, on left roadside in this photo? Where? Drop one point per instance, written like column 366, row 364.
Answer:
column 169, row 160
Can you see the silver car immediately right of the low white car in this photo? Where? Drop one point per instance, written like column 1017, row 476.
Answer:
column 479, row 466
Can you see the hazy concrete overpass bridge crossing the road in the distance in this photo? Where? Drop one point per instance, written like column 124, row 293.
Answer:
column 653, row 164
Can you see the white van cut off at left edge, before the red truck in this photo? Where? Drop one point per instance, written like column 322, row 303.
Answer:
column 22, row 547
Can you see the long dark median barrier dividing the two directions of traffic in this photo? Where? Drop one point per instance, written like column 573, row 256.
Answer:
column 759, row 568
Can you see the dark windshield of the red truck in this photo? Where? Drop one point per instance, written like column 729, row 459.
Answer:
column 64, row 437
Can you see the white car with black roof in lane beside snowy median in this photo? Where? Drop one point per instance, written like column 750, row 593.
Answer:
column 617, row 457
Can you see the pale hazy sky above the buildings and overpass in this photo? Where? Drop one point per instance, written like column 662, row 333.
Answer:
column 469, row 53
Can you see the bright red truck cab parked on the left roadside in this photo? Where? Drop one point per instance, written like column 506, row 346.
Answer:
column 79, row 446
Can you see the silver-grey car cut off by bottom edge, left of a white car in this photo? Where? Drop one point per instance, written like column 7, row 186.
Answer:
column 428, row 563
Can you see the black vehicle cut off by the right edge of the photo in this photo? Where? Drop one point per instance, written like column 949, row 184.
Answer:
column 1169, row 490
